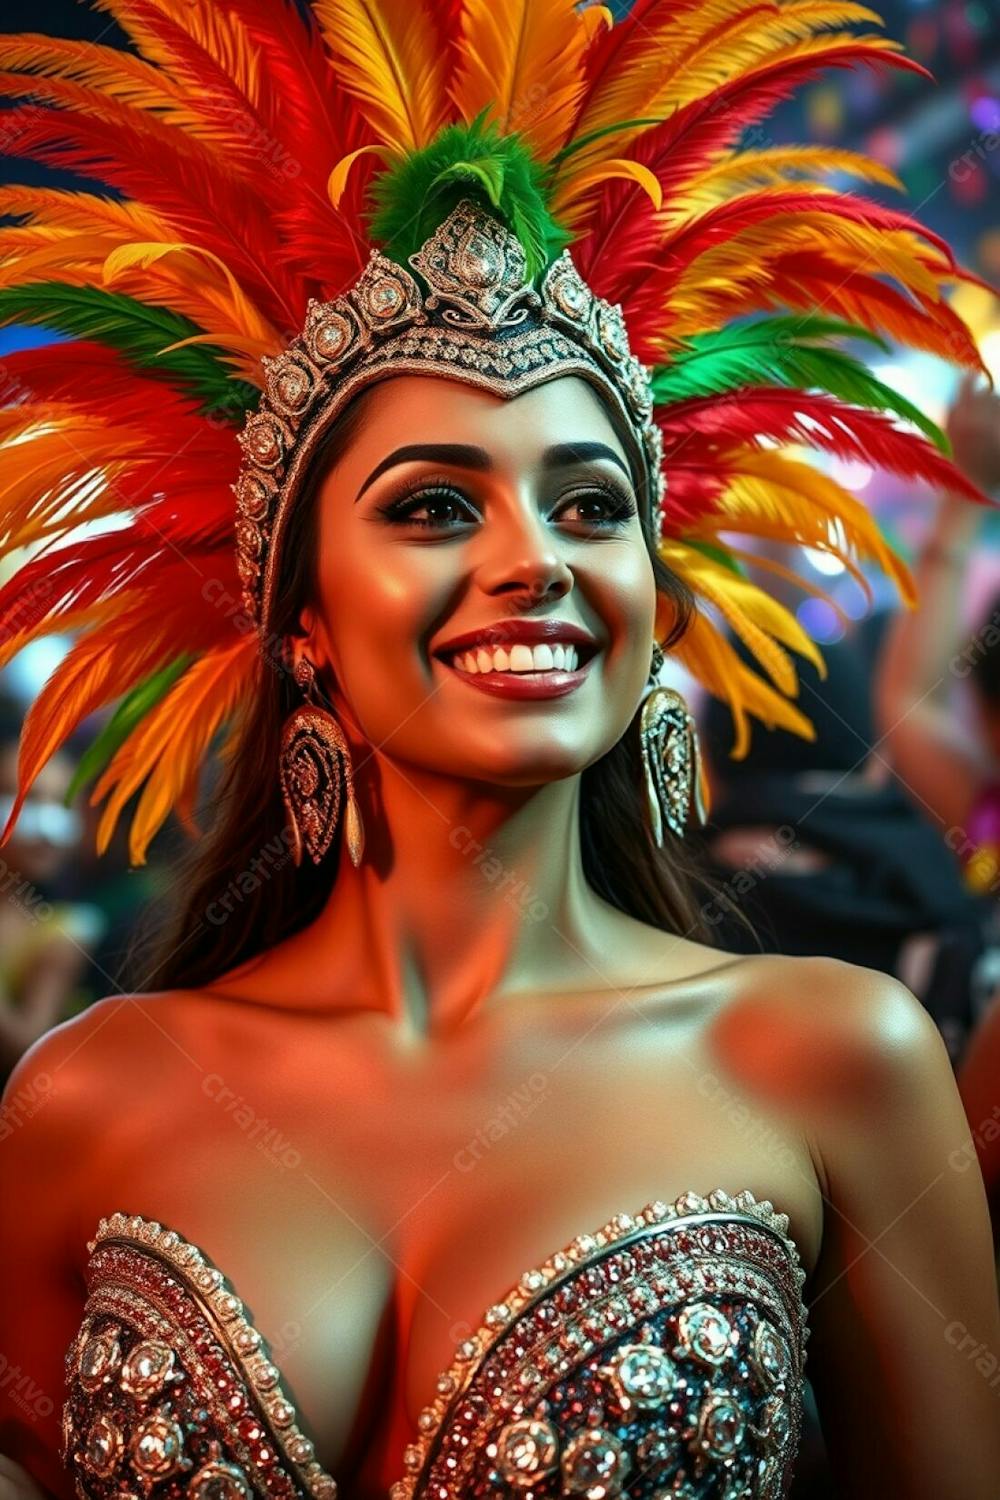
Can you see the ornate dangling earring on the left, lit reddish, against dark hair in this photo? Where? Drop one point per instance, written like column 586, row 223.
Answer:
column 316, row 761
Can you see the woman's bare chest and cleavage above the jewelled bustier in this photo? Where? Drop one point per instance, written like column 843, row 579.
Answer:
column 368, row 1231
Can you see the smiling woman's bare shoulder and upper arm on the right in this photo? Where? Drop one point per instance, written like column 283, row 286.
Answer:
column 906, row 1330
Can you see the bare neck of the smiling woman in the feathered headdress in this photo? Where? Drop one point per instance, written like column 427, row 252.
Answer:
column 463, row 895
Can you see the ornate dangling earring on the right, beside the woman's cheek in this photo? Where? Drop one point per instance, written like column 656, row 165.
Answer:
column 671, row 758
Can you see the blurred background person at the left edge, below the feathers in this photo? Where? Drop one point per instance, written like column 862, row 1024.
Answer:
column 44, row 943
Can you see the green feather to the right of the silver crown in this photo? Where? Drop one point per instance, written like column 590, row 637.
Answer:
column 785, row 352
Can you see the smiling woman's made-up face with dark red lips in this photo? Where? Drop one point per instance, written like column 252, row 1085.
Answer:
column 418, row 550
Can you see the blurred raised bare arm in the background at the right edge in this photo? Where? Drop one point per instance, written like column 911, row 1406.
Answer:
column 921, row 661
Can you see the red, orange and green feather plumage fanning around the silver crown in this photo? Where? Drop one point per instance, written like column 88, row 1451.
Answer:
column 259, row 154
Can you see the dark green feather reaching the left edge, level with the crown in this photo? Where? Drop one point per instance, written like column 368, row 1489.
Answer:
column 139, row 332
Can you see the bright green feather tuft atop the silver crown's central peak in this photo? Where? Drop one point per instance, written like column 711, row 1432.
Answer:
column 416, row 194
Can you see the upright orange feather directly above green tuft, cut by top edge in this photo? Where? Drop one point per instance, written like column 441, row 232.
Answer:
column 524, row 59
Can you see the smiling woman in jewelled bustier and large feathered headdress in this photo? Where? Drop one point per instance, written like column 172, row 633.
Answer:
column 451, row 1162
